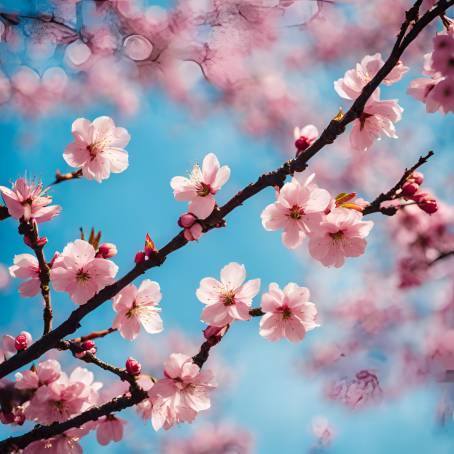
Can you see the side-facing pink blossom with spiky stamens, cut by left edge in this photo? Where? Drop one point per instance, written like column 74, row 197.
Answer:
column 29, row 201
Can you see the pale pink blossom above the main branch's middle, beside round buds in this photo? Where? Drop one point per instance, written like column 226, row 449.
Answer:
column 202, row 185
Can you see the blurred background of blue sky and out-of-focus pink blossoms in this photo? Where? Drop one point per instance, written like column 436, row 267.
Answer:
column 218, row 83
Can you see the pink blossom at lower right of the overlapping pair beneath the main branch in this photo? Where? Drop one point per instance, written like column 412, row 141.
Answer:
column 341, row 234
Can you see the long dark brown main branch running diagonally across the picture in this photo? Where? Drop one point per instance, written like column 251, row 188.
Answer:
column 275, row 178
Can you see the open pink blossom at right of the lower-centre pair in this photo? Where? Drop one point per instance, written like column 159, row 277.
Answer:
column 288, row 313
